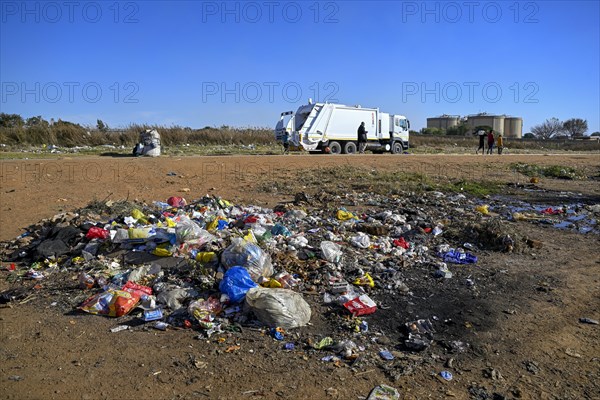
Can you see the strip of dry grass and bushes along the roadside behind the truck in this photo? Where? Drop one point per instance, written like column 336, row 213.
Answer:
column 37, row 138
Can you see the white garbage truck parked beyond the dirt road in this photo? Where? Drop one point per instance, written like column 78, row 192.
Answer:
column 332, row 128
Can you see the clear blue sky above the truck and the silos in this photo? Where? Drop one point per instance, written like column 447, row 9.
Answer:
column 243, row 63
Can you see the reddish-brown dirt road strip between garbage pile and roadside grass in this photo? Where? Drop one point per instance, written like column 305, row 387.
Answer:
column 36, row 189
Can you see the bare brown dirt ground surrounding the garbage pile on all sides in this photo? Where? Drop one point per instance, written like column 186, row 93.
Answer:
column 521, row 325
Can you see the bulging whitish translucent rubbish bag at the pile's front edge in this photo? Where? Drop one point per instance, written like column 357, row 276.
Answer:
column 278, row 307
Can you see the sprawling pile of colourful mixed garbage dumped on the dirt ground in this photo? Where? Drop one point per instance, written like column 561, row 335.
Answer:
column 213, row 266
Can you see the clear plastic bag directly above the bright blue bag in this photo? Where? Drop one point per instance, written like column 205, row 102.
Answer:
column 250, row 256
